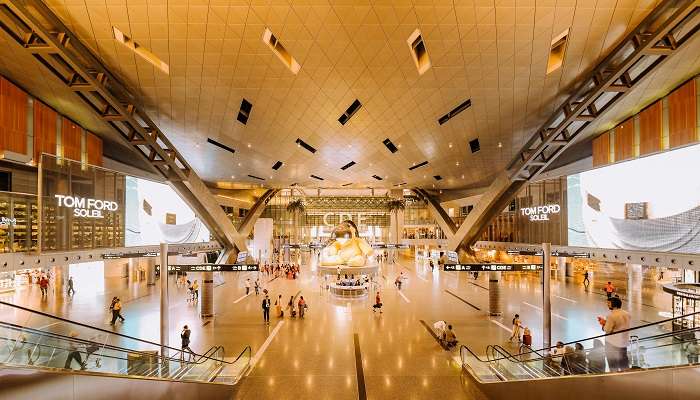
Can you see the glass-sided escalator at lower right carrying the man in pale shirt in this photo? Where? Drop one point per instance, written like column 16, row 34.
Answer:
column 662, row 364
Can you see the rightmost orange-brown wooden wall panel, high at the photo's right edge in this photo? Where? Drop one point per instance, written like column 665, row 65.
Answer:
column 682, row 115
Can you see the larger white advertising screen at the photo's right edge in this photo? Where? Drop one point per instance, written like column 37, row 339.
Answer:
column 650, row 203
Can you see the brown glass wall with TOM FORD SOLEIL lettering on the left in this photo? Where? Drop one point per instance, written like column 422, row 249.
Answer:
column 82, row 207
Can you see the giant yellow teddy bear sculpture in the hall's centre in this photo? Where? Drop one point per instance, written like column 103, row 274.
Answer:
column 348, row 249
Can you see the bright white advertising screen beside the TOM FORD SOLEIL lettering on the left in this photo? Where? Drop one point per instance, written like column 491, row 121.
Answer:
column 156, row 214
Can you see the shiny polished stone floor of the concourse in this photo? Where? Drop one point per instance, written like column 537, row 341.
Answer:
column 316, row 357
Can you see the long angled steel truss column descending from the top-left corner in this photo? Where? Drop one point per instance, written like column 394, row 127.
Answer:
column 34, row 26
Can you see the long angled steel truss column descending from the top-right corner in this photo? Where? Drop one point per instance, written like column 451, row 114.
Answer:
column 663, row 32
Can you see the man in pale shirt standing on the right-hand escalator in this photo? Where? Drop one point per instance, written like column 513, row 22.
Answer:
column 616, row 344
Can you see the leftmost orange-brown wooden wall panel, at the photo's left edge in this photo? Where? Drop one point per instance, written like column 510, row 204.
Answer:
column 13, row 117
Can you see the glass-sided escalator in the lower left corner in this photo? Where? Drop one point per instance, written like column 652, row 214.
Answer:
column 44, row 356
